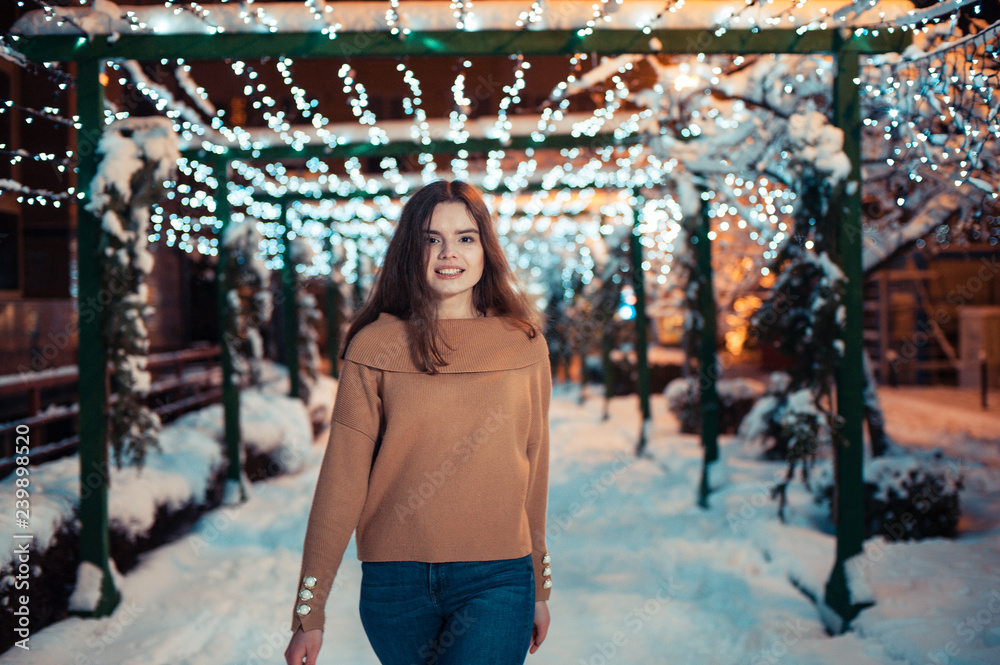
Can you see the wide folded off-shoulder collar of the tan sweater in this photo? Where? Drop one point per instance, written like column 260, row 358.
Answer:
column 485, row 344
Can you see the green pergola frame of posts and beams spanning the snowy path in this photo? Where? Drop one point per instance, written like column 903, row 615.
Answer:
column 846, row 45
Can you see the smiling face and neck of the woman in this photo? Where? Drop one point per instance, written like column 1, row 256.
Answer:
column 454, row 259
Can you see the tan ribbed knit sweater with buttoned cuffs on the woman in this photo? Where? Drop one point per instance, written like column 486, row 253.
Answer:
column 434, row 468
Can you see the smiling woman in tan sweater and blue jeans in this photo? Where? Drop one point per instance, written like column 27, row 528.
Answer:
column 438, row 452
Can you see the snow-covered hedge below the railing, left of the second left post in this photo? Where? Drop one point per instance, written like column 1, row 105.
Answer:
column 179, row 481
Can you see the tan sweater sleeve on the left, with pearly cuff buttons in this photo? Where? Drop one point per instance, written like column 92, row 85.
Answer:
column 340, row 490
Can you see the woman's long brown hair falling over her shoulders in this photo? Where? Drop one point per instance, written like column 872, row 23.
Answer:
column 401, row 288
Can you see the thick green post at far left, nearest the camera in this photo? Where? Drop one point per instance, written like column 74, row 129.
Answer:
column 92, row 356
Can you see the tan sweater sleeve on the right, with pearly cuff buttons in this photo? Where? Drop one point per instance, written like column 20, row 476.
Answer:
column 538, row 480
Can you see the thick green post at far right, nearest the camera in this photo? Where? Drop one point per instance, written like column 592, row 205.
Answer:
column 848, row 458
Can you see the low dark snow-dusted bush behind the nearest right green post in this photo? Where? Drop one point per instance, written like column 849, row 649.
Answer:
column 906, row 498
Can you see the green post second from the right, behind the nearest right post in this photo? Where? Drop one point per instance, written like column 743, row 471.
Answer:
column 708, row 396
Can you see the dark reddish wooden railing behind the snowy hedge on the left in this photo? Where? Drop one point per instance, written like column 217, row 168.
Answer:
column 182, row 381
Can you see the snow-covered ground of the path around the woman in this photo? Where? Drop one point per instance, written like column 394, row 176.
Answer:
column 641, row 574
